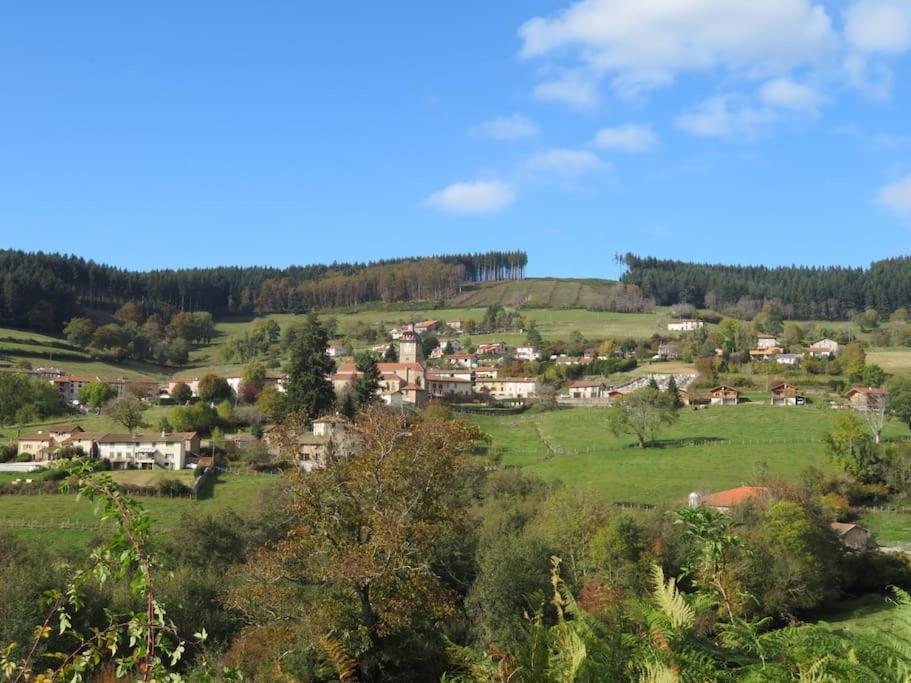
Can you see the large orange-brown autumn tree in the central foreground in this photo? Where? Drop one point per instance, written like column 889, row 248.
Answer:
column 363, row 568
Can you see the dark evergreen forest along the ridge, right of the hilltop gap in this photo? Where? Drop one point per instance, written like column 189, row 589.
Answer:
column 827, row 293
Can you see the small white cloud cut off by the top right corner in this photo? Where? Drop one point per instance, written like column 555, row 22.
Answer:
column 882, row 26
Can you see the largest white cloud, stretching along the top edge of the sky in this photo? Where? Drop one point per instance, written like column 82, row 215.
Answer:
column 642, row 44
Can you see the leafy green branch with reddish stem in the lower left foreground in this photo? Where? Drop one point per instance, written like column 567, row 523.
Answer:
column 141, row 642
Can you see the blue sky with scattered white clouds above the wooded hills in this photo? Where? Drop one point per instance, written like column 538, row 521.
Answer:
column 195, row 134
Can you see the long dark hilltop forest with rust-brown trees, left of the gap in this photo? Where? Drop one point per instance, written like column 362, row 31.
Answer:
column 42, row 291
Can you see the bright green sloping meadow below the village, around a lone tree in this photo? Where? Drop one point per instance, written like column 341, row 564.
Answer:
column 706, row 450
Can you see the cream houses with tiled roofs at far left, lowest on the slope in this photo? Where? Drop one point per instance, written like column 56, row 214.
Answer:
column 166, row 450
